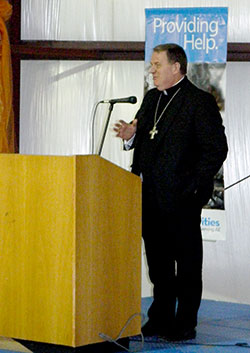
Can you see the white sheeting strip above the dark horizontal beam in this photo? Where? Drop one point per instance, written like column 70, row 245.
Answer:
column 118, row 20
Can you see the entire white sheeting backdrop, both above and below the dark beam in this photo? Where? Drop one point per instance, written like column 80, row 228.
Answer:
column 58, row 98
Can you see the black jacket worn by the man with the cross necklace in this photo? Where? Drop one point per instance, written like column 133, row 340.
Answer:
column 186, row 153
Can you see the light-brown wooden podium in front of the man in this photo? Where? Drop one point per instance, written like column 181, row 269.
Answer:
column 70, row 249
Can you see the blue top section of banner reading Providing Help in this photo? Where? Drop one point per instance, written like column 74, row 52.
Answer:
column 202, row 32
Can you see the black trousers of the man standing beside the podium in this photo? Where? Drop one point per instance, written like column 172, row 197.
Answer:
column 173, row 247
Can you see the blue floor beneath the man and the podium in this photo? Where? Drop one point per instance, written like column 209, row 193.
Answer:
column 223, row 327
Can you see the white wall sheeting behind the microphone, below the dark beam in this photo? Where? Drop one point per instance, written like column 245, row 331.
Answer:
column 58, row 100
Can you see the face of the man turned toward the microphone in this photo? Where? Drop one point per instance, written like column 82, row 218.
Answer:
column 165, row 74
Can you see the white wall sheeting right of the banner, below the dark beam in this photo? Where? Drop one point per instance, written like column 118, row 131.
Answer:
column 227, row 263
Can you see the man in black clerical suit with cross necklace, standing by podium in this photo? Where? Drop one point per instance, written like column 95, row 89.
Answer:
column 179, row 145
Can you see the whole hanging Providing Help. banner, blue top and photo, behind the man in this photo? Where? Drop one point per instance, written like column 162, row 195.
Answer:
column 202, row 32
